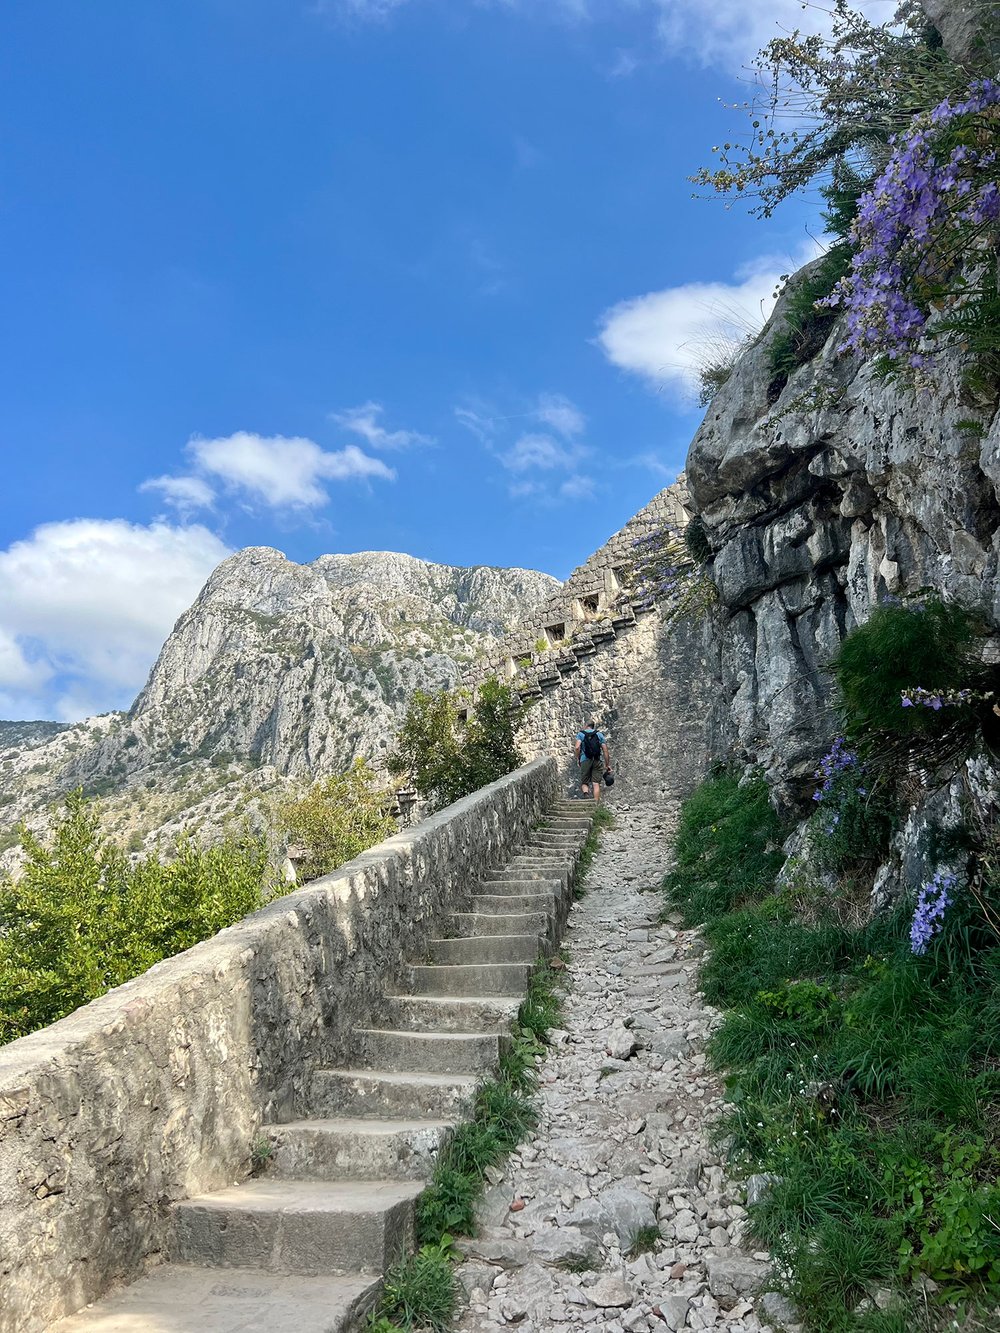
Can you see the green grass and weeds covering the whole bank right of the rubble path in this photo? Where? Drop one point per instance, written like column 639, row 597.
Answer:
column 865, row 1079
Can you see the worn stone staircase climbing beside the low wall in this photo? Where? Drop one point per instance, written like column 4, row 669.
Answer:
column 302, row 1247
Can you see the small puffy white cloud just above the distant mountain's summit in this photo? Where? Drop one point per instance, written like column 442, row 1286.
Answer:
column 279, row 471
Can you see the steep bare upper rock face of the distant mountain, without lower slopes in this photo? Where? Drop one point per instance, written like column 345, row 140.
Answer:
column 305, row 667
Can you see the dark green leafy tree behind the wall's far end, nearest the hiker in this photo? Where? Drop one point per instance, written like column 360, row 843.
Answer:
column 447, row 759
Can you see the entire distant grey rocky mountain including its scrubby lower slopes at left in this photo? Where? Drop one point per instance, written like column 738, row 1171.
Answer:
column 278, row 671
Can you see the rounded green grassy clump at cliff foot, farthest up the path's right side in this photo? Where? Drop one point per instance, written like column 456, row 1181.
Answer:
column 727, row 848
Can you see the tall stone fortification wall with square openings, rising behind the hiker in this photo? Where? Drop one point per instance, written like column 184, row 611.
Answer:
column 598, row 650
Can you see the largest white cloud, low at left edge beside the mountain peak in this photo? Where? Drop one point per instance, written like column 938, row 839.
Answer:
column 86, row 606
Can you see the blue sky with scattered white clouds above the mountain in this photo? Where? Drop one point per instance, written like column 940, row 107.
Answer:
column 414, row 275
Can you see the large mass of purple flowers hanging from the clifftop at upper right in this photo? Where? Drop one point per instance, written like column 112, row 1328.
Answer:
column 922, row 230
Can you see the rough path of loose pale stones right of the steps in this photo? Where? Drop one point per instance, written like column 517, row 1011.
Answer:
column 623, row 1147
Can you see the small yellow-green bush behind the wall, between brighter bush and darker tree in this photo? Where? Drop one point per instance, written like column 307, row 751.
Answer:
column 338, row 819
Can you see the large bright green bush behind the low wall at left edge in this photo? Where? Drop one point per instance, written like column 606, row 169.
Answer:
column 82, row 918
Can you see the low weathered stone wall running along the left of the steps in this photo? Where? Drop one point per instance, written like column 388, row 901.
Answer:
column 155, row 1092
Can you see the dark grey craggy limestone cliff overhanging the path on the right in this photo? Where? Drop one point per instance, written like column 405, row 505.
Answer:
column 817, row 513
